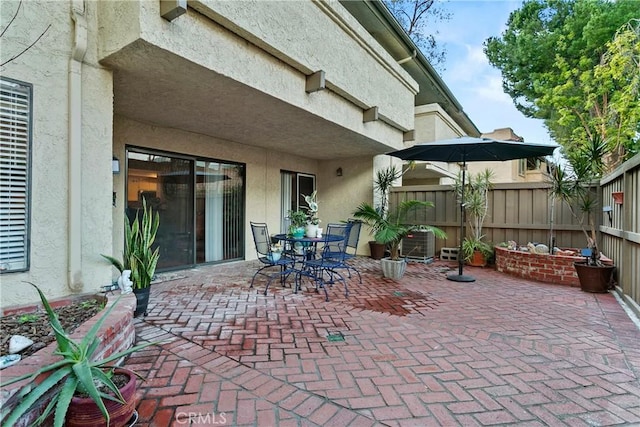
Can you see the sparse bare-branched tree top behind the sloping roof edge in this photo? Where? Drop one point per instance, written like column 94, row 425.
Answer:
column 415, row 16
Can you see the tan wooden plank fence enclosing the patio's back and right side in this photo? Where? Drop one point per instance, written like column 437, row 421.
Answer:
column 525, row 212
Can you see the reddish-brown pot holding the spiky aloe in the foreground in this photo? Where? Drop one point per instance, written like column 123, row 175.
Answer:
column 83, row 411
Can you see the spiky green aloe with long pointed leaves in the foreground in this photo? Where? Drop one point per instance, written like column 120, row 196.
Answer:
column 77, row 371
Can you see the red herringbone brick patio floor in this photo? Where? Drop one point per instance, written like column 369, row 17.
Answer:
column 423, row 351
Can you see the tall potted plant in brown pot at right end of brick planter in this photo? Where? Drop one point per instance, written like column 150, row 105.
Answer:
column 571, row 182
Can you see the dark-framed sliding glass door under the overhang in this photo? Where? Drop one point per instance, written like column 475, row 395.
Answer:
column 200, row 202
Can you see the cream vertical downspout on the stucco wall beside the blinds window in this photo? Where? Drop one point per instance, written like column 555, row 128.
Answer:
column 74, row 226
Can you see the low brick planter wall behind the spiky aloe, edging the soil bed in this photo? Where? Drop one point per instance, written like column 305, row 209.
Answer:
column 117, row 332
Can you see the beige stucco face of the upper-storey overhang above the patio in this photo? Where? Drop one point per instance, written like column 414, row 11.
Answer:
column 272, row 47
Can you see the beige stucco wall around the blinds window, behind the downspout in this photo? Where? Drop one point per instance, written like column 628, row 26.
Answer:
column 46, row 66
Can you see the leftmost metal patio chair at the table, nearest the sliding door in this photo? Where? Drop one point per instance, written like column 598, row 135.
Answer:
column 270, row 260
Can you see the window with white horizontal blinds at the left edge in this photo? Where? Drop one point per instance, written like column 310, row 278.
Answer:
column 15, row 148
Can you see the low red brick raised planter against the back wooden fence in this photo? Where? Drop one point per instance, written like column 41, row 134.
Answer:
column 545, row 268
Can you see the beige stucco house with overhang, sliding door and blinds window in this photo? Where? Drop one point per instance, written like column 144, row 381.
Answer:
column 222, row 115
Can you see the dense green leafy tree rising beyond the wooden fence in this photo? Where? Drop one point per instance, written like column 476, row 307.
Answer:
column 574, row 64
